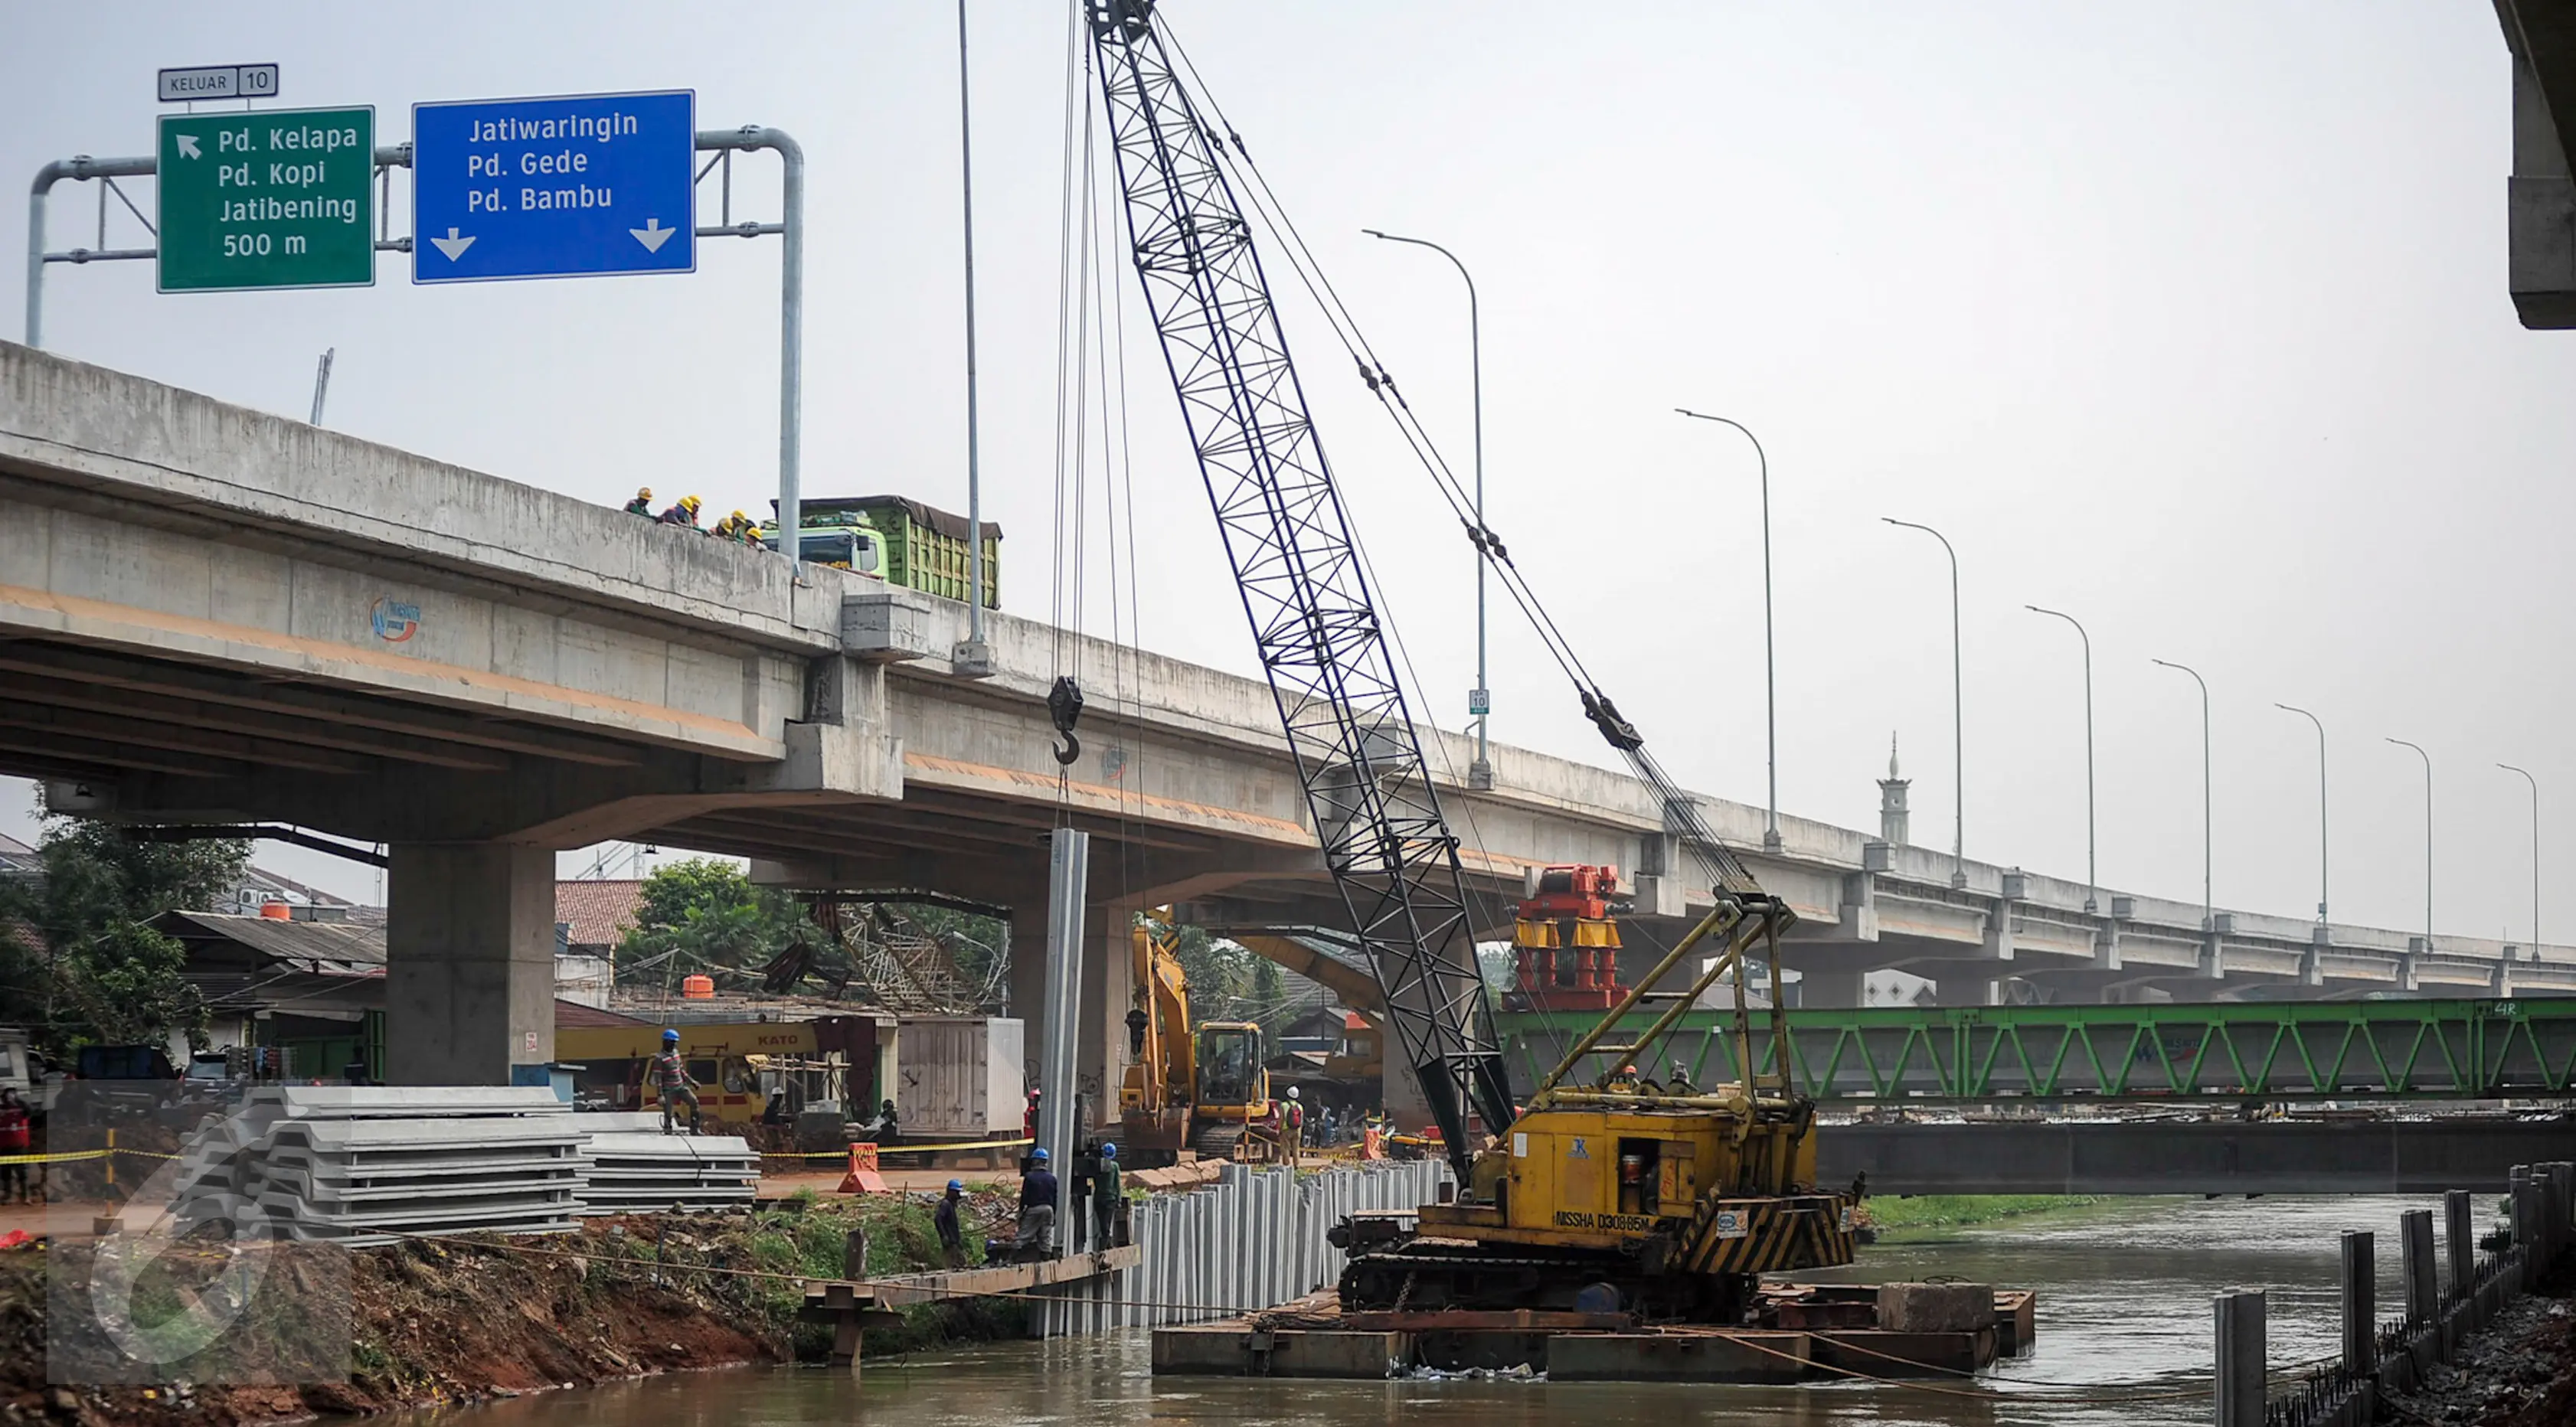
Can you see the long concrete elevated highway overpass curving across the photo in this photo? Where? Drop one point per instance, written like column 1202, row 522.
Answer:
column 213, row 614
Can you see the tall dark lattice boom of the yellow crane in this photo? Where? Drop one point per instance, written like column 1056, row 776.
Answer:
column 1320, row 640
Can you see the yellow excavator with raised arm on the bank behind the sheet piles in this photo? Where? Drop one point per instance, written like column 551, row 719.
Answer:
column 1189, row 1088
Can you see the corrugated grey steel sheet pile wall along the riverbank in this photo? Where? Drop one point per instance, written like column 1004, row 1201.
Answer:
column 1248, row 1243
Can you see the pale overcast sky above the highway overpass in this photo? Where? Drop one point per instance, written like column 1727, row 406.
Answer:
column 2188, row 321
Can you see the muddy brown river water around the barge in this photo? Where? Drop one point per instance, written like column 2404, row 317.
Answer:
column 2124, row 1310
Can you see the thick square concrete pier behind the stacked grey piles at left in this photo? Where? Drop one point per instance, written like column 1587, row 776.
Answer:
column 470, row 962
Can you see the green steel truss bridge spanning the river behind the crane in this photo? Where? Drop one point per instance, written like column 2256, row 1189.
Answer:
column 2160, row 1055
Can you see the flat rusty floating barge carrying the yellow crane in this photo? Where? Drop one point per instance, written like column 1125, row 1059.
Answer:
column 1799, row 1333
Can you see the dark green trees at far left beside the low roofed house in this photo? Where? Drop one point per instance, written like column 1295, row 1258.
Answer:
column 86, row 959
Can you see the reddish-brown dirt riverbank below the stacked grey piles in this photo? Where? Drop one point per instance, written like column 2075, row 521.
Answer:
column 465, row 1320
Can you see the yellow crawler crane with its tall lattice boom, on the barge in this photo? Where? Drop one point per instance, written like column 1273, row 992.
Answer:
column 1609, row 1191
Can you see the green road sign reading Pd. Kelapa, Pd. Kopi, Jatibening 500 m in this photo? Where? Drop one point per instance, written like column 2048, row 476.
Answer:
column 269, row 200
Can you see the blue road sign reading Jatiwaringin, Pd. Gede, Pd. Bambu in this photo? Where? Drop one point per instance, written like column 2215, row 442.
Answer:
column 555, row 187
